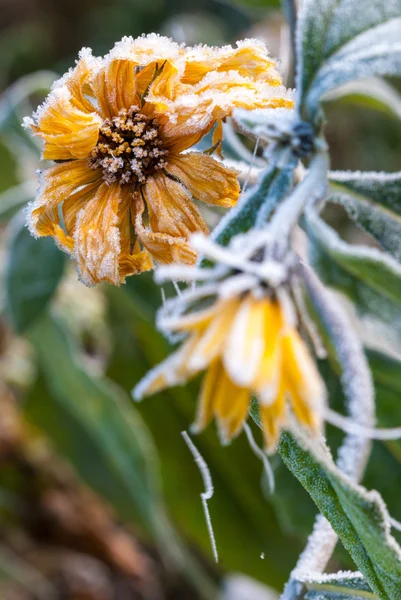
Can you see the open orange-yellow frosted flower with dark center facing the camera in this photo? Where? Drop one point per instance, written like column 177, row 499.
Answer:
column 119, row 129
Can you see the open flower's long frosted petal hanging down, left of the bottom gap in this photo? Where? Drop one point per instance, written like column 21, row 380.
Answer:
column 97, row 237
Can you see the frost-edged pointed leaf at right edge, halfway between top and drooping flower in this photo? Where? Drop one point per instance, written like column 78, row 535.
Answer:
column 373, row 201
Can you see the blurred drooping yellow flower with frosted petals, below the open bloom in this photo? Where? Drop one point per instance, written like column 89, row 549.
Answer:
column 249, row 347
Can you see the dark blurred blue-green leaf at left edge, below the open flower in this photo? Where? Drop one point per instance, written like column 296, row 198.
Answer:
column 34, row 270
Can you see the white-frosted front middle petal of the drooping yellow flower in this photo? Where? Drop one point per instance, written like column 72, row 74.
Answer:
column 245, row 345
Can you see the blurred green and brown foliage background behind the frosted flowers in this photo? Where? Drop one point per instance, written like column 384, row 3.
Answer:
column 100, row 499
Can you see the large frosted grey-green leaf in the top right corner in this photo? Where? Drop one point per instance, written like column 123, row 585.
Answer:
column 340, row 41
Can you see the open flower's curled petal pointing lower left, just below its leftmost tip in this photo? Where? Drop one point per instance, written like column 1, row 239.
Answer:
column 57, row 184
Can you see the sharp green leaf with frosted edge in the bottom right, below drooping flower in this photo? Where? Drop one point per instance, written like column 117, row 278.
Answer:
column 358, row 517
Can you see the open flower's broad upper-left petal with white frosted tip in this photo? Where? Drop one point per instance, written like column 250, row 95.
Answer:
column 68, row 132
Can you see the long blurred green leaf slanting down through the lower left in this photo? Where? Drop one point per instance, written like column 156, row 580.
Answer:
column 94, row 424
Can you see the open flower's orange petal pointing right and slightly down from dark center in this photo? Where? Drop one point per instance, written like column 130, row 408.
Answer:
column 205, row 178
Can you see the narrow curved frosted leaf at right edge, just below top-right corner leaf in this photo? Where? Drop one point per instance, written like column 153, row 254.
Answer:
column 374, row 93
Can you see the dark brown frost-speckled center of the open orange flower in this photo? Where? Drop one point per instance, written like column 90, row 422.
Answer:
column 129, row 148
